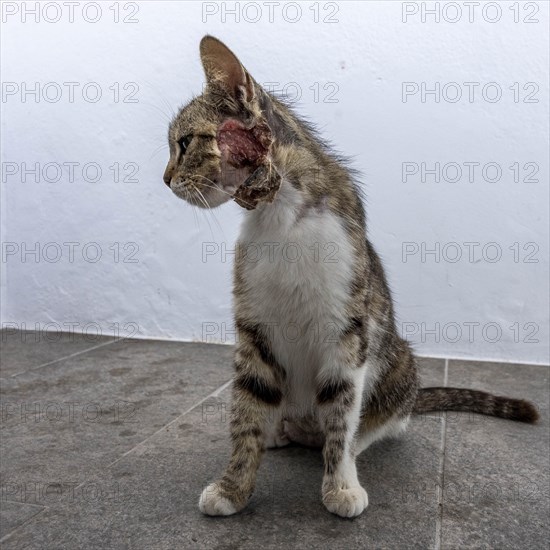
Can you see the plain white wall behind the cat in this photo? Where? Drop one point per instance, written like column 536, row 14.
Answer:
column 170, row 292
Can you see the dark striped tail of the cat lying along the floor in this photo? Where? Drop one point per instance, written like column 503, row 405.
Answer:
column 465, row 400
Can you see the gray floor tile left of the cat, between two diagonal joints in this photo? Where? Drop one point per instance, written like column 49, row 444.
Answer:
column 64, row 421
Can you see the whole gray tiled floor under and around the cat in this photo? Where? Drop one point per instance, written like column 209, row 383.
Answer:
column 107, row 444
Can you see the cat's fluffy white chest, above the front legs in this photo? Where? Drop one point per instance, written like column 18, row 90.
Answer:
column 296, row 279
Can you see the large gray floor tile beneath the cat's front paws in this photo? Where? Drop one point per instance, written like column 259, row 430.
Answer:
column 158, row 486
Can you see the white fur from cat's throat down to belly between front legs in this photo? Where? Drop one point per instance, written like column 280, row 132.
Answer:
column 310, row 292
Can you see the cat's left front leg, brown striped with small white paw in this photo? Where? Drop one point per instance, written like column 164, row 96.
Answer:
column 257, row 393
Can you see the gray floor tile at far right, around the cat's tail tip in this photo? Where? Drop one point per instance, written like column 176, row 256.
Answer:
column 496, row 476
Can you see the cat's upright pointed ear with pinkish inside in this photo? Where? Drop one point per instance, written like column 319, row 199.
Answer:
column 223, row 69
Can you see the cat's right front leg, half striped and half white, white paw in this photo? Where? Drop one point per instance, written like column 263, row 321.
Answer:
column 339, row 400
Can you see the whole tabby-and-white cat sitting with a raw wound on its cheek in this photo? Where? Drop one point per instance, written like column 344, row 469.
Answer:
column 318, row 360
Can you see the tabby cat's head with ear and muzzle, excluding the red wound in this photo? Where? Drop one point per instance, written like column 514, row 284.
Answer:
column 198, row 171
